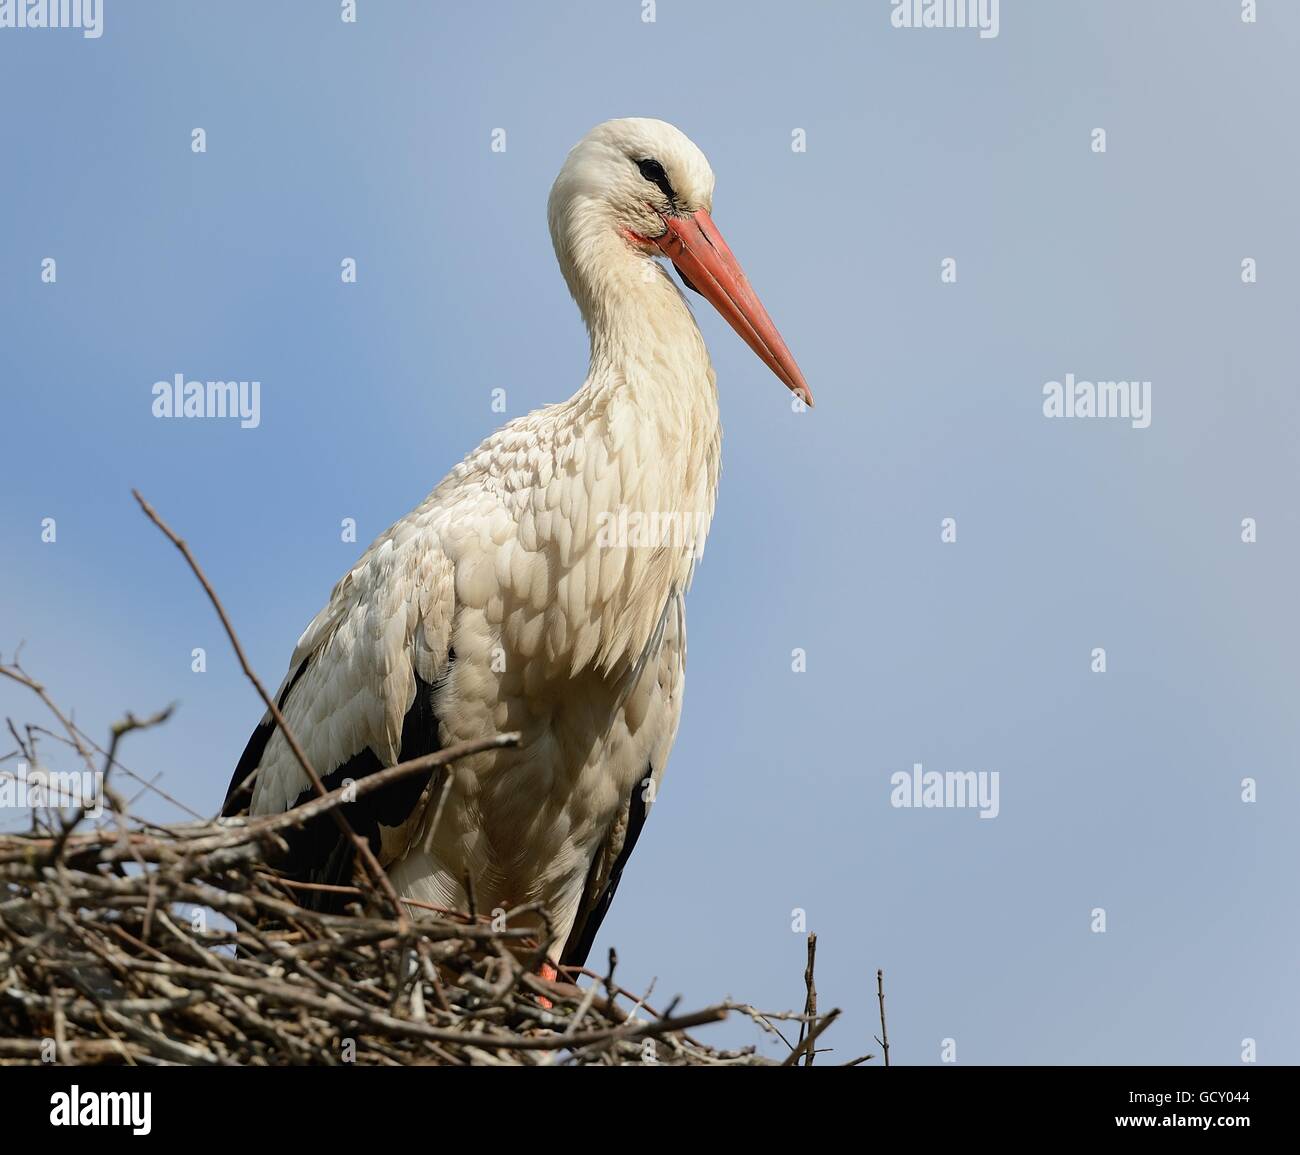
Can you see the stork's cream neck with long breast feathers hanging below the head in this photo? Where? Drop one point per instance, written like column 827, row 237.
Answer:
column 649, row 404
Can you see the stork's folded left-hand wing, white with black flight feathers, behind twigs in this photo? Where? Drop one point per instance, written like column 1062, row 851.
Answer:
column 361, row 695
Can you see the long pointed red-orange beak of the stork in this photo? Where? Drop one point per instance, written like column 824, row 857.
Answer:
column 700, row 254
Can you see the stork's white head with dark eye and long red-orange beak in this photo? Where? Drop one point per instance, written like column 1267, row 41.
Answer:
column 642, row 189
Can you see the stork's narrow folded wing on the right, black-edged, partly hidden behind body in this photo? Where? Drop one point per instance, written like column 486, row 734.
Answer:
column 661, row 694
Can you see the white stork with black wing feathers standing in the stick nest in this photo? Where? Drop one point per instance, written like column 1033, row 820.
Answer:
column 496, row 605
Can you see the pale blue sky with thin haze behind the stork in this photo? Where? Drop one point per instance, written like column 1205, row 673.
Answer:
column 374, row 141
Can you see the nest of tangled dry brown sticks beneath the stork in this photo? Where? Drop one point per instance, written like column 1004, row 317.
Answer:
column 124, row 941
